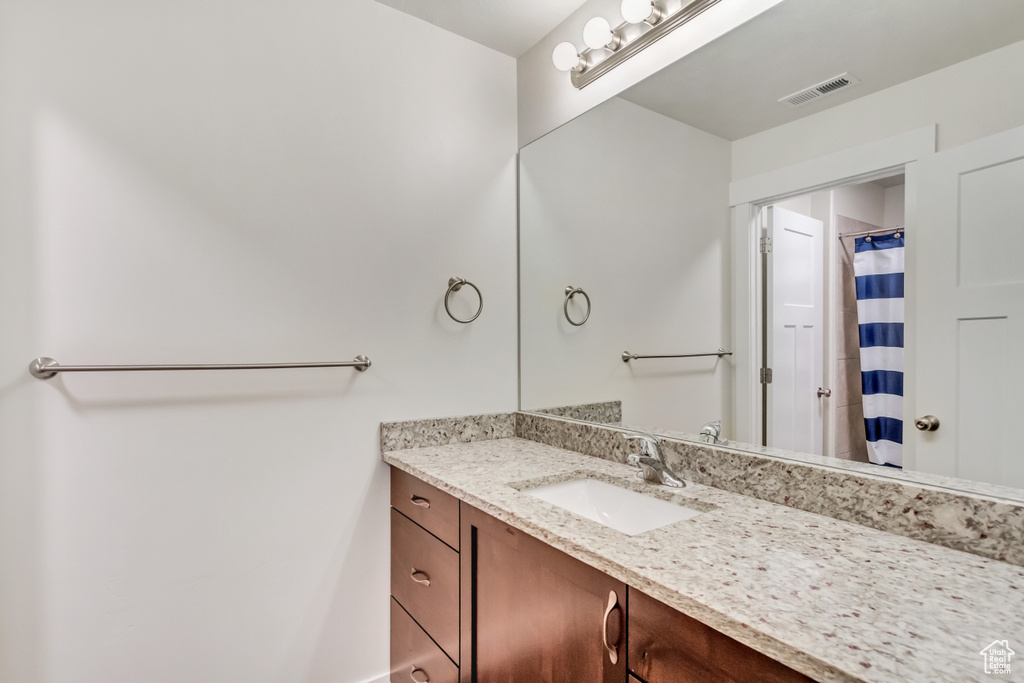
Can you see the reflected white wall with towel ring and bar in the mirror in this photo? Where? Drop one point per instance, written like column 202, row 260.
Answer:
column 632, row 207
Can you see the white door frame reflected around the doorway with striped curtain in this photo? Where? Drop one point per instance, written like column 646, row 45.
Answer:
column 859, row 164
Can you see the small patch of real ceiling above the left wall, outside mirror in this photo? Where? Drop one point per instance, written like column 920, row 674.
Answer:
column 511, row 27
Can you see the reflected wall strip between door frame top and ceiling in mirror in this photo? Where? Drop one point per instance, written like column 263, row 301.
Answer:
column 969, row 101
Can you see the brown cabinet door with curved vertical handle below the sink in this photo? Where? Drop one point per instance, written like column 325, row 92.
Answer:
column 534, row 615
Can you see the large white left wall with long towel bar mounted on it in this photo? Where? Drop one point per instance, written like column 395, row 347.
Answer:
column 233, row 182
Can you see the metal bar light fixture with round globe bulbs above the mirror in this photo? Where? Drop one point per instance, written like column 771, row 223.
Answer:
column 646, row 23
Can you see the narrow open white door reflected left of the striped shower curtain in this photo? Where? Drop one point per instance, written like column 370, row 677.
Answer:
column 796, row 277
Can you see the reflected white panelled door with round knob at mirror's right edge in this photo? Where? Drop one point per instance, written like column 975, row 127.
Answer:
column 970, row 293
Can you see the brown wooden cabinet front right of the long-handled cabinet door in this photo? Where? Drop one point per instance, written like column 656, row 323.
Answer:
column 667, row 647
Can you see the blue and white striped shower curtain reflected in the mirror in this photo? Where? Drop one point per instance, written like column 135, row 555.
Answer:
column 878, row 266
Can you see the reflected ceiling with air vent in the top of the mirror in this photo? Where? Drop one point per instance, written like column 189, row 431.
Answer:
column 732, row 87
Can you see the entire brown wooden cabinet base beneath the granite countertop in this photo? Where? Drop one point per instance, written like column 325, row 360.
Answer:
column 478, row 602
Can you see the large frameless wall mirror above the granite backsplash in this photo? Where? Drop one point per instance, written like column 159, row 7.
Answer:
column 888, row 305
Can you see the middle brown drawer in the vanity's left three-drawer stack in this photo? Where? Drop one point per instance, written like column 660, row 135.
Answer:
column 425, row 582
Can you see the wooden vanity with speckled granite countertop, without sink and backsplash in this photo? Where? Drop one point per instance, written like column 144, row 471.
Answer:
column 746, row 590
